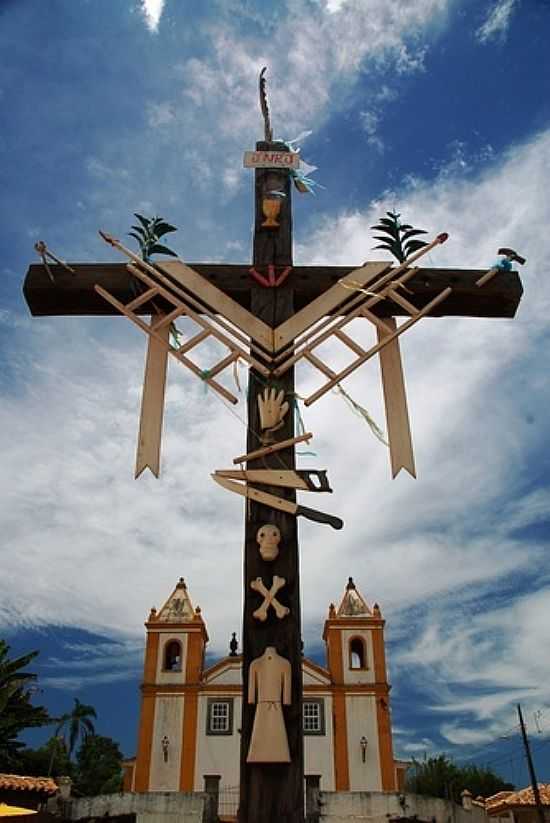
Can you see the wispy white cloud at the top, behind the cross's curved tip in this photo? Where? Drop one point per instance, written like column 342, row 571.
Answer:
column 341, row 39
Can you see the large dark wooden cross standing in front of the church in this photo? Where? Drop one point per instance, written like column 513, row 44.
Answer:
column 271, row 345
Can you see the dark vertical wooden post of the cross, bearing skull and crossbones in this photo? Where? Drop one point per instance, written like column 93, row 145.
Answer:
column 272, row 793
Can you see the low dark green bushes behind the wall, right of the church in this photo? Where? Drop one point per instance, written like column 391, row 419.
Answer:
column 442, row 777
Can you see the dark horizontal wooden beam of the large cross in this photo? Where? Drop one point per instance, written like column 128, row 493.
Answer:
column 75, row 295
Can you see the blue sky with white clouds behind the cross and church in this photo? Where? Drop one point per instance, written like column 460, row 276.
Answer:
column 437, row 108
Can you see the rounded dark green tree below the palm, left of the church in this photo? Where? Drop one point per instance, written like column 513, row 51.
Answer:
column 98, row 766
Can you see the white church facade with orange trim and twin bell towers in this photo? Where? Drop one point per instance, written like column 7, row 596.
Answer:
column 190, row 714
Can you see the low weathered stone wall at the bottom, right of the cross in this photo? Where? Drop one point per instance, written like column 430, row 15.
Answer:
column 382, row 807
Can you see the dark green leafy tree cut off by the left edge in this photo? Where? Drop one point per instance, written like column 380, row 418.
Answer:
column 16, row 710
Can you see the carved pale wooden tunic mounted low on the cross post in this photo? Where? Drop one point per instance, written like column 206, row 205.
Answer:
column 269, row 685
